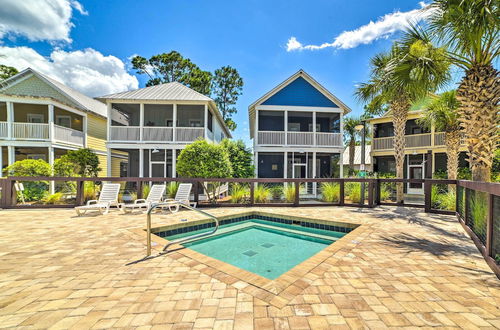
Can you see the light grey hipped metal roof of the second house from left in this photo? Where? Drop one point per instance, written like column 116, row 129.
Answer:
column 172, row 91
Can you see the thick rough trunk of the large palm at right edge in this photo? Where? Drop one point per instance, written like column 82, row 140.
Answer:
column 479, row 94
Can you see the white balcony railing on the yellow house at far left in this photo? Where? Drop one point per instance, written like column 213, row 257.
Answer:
column 41, row 132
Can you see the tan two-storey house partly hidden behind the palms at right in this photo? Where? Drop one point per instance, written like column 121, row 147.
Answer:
column 425, row 152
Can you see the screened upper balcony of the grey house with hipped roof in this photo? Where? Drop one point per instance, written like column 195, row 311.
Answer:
column 165, row 123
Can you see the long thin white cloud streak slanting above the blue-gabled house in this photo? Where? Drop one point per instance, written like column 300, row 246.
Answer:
column 384, row 27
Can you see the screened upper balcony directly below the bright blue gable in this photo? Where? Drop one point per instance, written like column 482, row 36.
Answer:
column 296, row 128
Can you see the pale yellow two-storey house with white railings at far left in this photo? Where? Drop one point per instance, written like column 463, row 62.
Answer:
column 40, row 118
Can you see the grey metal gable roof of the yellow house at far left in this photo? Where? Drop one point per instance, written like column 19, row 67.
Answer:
column 81, row 101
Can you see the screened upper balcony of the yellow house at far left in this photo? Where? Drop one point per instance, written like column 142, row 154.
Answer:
column 40, row 122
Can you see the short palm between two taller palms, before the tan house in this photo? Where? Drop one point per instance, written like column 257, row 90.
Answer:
column 442, row 113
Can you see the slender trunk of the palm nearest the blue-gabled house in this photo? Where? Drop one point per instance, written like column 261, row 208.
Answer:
column 399, row 109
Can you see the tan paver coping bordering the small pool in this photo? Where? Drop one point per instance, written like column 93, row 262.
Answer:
column 277, row 292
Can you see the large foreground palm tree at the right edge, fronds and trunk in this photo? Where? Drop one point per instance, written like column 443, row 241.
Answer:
column 470, row 30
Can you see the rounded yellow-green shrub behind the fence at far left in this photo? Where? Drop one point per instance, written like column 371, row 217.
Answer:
column 33, row 190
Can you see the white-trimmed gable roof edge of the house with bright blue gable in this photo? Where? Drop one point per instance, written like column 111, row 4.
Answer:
column 301, row 75
